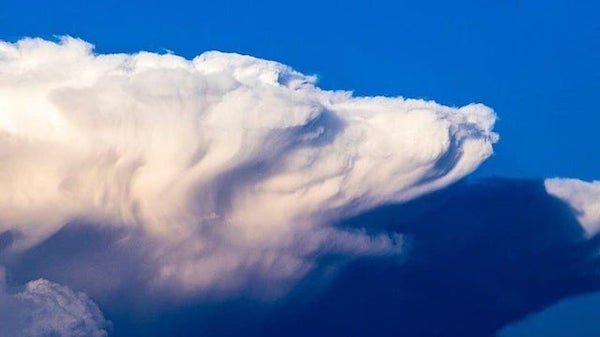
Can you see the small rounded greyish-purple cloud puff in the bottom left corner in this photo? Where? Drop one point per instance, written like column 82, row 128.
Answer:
column 46, row 309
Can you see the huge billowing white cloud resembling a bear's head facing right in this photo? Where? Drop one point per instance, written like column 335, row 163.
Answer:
column 229, row 165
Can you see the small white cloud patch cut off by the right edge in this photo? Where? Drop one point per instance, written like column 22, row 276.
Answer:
column 583, row 196
